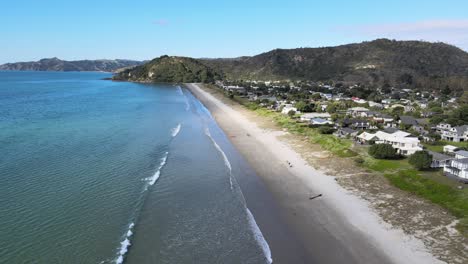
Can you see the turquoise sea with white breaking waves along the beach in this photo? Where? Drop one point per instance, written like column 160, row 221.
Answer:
column 94, row 171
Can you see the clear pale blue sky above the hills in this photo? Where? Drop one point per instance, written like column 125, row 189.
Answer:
column 143, row 29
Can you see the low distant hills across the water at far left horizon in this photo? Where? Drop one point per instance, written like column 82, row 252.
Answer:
column 55, row 64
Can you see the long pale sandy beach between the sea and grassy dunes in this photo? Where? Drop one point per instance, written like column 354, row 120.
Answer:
column 338, row 226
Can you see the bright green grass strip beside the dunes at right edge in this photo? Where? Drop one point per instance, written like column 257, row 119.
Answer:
column 448, row 197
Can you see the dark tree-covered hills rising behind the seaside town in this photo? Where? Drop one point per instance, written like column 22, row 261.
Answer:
column 380, row 62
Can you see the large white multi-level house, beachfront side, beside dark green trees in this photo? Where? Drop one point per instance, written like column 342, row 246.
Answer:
column 399, row 140
